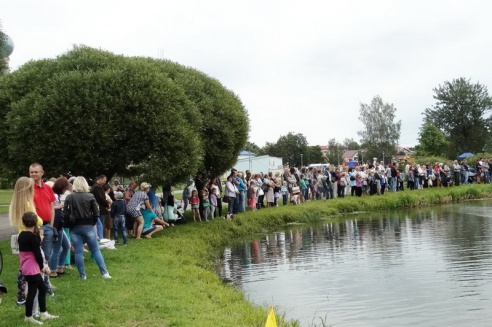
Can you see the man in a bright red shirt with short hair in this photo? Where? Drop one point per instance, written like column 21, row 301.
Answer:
column 44, row 202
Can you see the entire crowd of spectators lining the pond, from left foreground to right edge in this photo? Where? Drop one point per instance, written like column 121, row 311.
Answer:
column 59, row 216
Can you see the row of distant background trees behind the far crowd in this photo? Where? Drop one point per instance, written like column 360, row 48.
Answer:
column 458, row 122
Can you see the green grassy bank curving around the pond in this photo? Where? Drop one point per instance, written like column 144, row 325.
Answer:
column 171, row 281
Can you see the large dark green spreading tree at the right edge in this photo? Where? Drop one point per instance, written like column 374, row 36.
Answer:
column 461, row 114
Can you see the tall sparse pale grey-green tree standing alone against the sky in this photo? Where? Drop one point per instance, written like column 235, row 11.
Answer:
column 381, row 133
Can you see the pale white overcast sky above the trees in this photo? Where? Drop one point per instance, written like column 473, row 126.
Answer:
column 298, row 66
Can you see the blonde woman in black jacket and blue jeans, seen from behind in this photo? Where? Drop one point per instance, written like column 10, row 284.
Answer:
column 82, row 210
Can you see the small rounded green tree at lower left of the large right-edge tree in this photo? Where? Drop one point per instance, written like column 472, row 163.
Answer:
column 432, row 141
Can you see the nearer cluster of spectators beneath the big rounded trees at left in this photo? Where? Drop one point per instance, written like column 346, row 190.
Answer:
column 60, row 216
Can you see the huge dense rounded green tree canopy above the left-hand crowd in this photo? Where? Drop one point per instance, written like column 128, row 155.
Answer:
column 91, row 112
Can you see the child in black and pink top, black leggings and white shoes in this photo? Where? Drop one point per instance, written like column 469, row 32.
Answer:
column 32, row 265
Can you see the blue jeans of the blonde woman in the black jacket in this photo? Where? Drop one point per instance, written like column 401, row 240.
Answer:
column 81, row 234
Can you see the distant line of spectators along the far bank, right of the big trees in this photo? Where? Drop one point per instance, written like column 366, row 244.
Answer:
column 298, row 185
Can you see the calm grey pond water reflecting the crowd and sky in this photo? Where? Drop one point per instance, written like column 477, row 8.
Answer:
column 425, row 267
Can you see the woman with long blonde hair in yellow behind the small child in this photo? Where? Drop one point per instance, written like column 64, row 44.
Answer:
column 22, row 202
